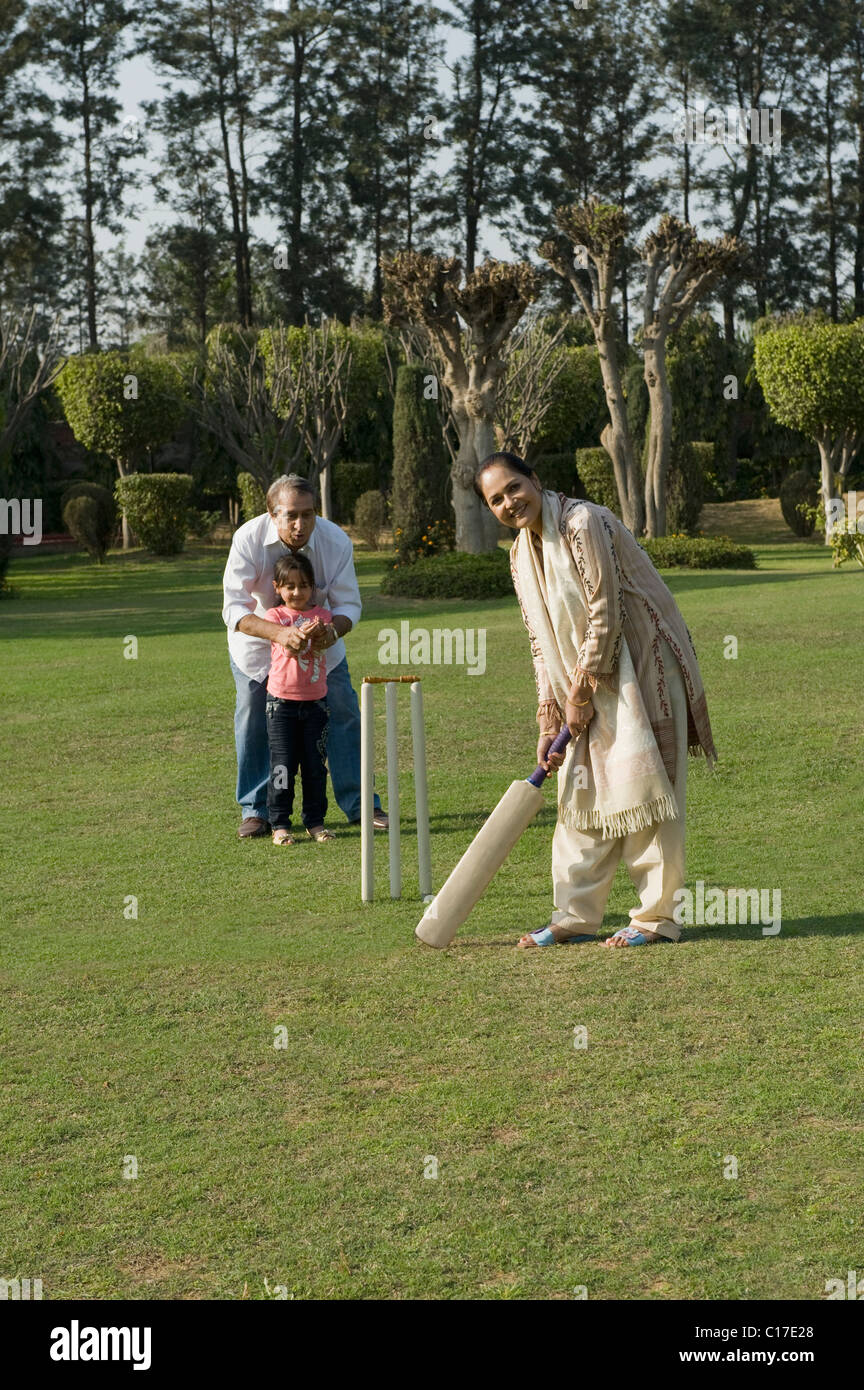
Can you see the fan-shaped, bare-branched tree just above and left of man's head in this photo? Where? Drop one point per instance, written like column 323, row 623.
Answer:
column 251, row 407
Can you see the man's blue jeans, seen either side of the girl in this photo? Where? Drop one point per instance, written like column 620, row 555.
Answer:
column 342, row 743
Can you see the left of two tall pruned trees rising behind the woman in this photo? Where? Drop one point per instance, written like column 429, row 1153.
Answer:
column 587, row 256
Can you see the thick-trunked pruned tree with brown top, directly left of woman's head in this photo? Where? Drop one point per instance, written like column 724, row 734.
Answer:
column 430, row 291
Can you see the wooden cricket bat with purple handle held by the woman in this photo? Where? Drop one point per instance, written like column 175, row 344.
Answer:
column 485, row 856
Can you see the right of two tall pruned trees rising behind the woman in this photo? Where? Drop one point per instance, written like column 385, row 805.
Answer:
column 680, row 273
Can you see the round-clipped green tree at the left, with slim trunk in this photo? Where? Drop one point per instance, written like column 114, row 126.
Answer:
column 123, row 405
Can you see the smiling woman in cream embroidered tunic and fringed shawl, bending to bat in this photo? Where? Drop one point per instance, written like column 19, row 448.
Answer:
column 615, row 661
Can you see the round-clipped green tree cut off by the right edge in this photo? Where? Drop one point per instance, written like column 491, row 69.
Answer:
column 812, row 375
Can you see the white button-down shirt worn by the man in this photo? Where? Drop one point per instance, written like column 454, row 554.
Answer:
column 249, row 586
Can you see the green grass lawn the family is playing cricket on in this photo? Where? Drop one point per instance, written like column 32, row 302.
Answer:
column 304, row 1167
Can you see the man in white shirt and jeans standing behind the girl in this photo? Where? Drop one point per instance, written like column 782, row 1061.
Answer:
column 291, row 525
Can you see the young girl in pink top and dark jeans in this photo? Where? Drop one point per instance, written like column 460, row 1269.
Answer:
column 297, row 710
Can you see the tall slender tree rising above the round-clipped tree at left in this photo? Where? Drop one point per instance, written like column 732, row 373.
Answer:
column 83, row 47
